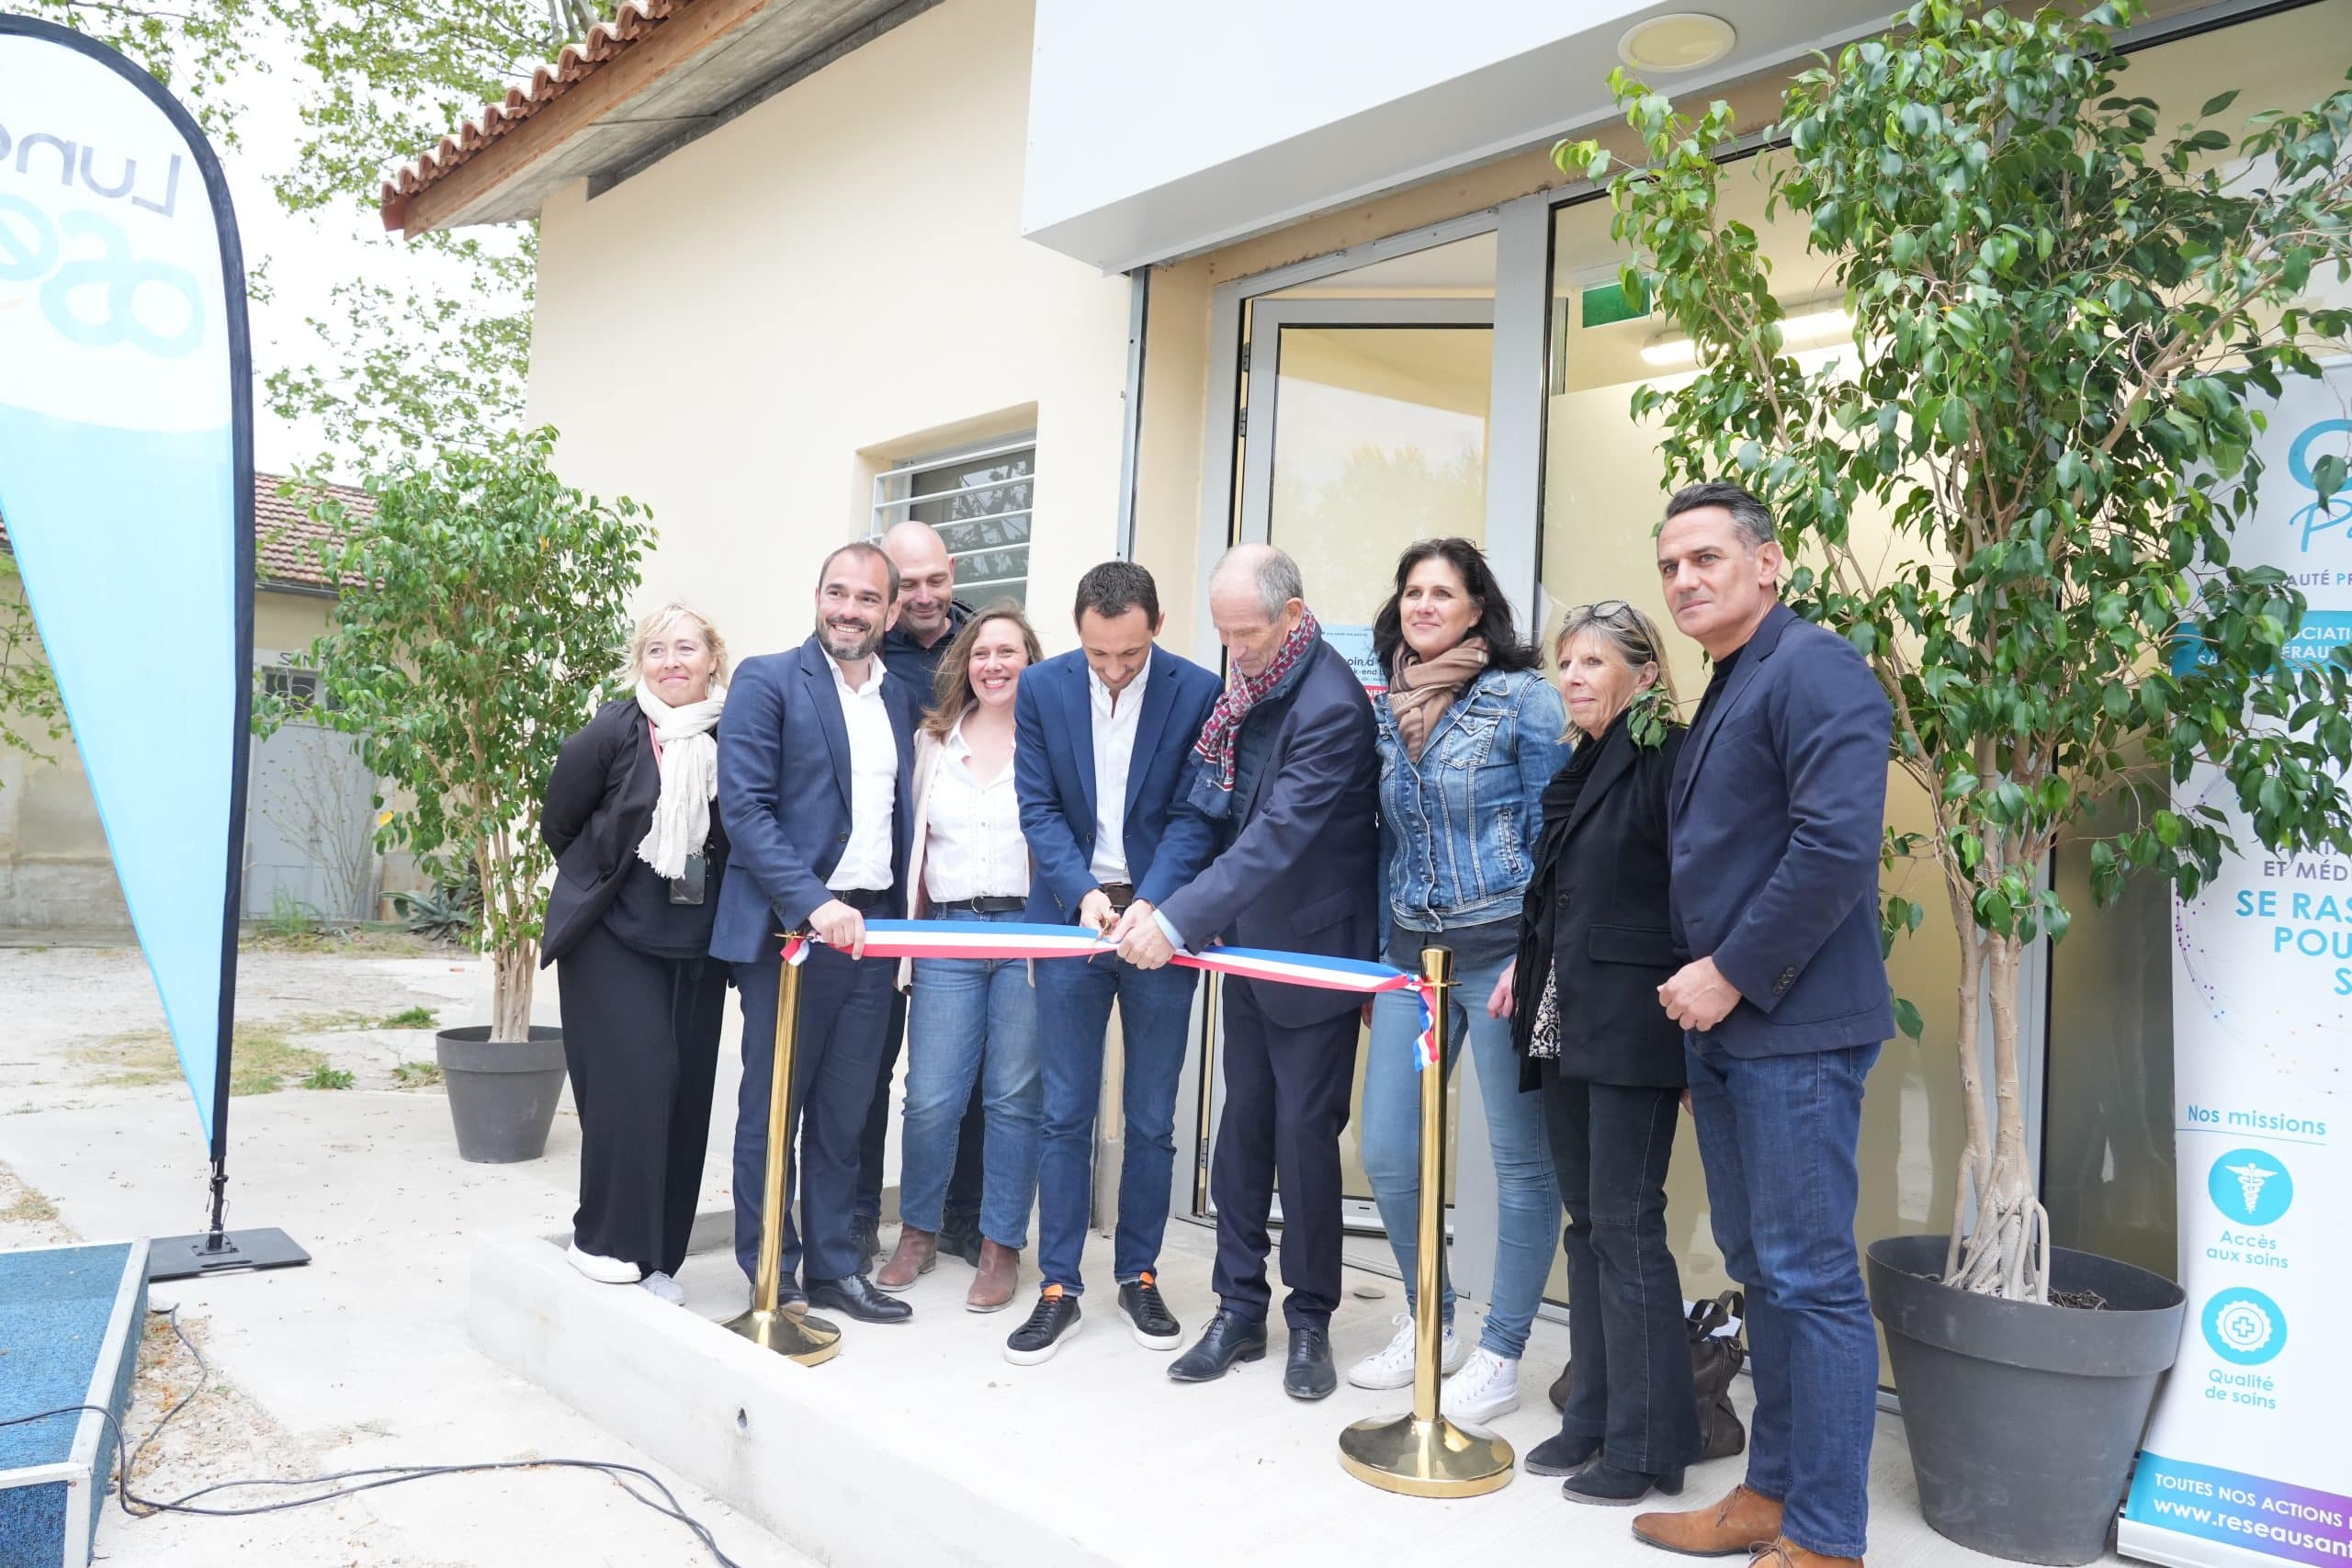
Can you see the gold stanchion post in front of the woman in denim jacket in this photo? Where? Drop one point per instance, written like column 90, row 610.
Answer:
column 1424, row 1454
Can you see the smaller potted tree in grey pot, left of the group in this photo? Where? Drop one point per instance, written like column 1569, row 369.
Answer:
column 483, row 605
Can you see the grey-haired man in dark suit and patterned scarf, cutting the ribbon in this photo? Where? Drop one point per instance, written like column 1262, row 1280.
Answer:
column 1290, row 768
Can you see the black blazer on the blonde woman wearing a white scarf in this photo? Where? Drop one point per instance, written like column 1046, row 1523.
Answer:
column 599, row 808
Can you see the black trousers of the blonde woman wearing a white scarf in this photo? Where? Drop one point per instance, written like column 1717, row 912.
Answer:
column 643, row 1050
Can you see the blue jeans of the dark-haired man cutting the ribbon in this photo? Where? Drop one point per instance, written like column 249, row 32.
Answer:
column 1074, row 1010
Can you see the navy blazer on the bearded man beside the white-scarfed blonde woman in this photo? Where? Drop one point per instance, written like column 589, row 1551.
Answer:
column 784, row 796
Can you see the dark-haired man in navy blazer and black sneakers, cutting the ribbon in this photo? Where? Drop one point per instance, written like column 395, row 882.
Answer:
column 1102, row 770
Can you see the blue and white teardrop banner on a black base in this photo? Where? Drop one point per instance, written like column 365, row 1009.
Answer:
column 128, row 495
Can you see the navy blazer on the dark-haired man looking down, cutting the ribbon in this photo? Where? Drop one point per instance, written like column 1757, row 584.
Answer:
column 1055, row 779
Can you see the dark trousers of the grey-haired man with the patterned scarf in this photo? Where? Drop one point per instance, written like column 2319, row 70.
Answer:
column 1285, row 1108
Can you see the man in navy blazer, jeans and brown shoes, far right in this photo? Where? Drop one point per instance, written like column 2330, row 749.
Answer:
column 1775, row 817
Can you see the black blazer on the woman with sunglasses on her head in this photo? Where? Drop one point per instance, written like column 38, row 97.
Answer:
column 1612, row 934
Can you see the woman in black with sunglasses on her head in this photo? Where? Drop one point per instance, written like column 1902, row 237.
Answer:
column 1593, row 951
